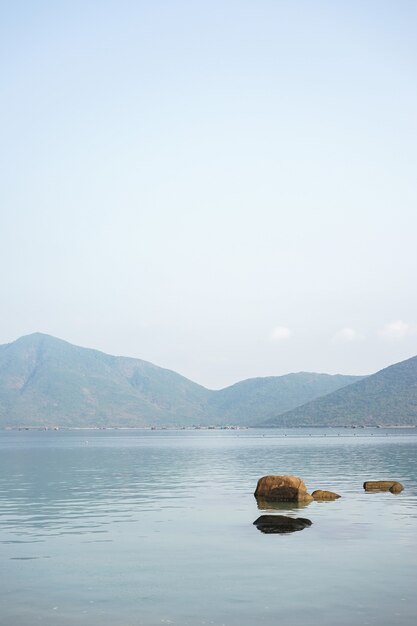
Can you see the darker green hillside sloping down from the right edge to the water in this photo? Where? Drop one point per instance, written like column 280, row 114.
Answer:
column 387, row 398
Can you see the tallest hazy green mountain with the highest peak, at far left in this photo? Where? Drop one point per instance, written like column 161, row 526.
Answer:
column 44, row 380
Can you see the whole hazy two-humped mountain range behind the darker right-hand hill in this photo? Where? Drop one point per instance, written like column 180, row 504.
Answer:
column 45, row 381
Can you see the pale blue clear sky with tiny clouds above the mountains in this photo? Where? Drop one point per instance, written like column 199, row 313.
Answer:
column 223, row 188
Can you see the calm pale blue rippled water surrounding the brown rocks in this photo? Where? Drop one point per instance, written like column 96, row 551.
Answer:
column 129, row 528
